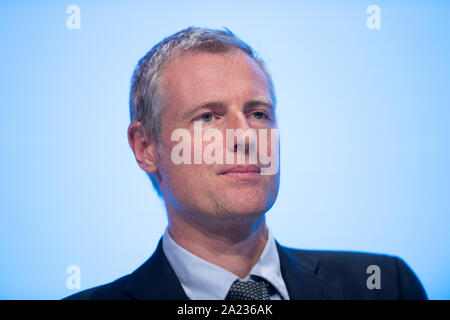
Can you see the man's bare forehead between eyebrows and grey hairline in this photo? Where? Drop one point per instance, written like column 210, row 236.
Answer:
column 196, row 77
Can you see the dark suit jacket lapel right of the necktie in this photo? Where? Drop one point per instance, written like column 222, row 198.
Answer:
column 300, row 274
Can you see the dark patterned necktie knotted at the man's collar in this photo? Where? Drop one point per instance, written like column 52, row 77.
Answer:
column 249, row 290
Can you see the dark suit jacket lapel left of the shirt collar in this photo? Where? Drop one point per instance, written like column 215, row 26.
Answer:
column 155, row 279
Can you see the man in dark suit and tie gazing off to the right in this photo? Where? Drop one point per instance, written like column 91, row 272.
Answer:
column 187, row 94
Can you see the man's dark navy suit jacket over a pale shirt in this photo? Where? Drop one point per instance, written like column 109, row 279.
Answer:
column 308, row 274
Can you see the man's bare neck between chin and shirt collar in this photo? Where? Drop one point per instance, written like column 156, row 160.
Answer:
column 232, row 245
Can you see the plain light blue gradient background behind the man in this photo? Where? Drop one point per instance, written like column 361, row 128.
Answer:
column 364, row 119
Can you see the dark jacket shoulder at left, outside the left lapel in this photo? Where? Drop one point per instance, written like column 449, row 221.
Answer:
column 111, row 291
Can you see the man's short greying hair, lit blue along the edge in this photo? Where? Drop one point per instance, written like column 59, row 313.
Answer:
column 144, row 106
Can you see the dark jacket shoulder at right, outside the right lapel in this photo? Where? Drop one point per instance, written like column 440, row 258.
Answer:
column 353, row 270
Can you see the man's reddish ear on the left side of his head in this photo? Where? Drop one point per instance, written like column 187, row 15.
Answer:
column 144, row 148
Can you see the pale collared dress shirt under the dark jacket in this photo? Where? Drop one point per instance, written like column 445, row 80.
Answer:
column 202, row 280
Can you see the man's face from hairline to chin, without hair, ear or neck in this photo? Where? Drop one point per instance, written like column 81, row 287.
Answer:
column 220, row 91
